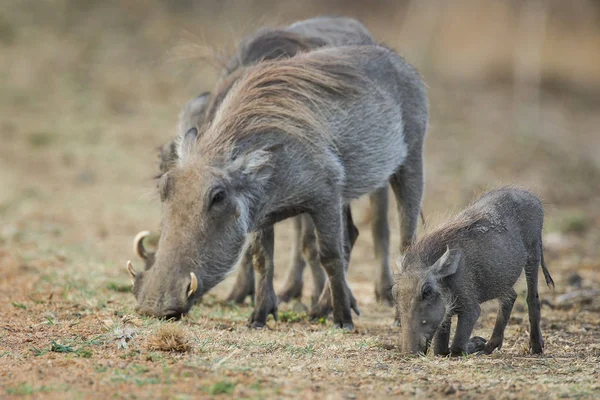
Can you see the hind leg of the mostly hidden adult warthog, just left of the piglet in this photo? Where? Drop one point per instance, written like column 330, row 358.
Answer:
column 381, row 242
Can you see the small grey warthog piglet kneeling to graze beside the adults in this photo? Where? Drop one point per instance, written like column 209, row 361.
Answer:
column 475, row 257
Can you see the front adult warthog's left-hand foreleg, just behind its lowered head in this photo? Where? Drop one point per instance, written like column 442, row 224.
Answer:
column 262, row 259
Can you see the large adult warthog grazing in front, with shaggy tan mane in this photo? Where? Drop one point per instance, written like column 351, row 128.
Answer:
column 303, row 135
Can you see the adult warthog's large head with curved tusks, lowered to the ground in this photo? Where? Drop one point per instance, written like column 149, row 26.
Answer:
column 208, row 203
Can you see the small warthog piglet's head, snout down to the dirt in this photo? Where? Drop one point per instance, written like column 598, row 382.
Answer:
column 420, row 302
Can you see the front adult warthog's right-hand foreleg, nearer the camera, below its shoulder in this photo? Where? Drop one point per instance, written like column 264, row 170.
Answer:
column 335, row 254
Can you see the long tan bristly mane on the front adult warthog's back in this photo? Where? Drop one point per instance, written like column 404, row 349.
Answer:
column 290, row 96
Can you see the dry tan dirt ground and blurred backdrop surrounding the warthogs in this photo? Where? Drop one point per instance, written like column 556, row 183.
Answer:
column 91, row 89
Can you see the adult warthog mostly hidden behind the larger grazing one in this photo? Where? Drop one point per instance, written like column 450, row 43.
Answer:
column 270, row 44
